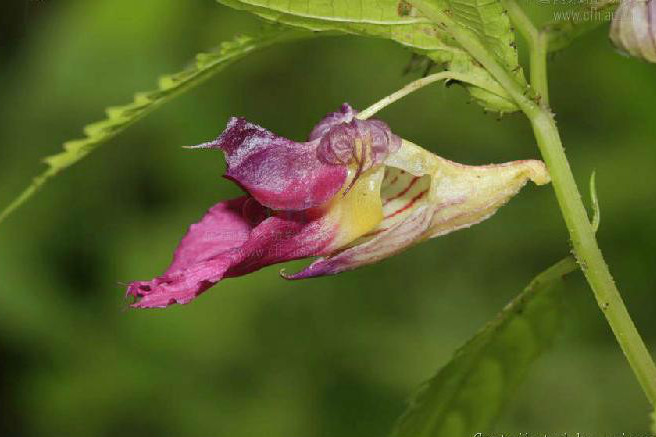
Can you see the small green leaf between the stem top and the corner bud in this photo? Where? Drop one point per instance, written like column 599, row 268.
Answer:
column 574, row 22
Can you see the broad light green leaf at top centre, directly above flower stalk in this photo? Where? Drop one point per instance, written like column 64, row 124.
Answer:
column 397, row 20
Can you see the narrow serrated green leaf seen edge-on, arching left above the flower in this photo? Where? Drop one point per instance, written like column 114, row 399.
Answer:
column 169, row 86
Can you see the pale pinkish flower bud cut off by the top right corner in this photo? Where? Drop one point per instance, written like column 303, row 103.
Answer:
column 633, row 29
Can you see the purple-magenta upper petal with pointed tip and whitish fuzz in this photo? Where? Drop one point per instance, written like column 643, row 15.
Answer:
column 279, row 173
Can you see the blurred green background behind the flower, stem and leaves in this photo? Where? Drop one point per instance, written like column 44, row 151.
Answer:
column 258, row 355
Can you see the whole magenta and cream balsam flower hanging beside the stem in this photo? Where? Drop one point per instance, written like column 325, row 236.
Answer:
column 352, row 195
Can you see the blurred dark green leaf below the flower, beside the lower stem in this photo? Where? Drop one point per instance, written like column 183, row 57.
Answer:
column 467, row 395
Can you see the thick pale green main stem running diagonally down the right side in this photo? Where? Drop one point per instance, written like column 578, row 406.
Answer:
column 582, row 234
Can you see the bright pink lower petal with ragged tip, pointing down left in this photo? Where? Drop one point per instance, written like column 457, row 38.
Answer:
column 228, row 242
